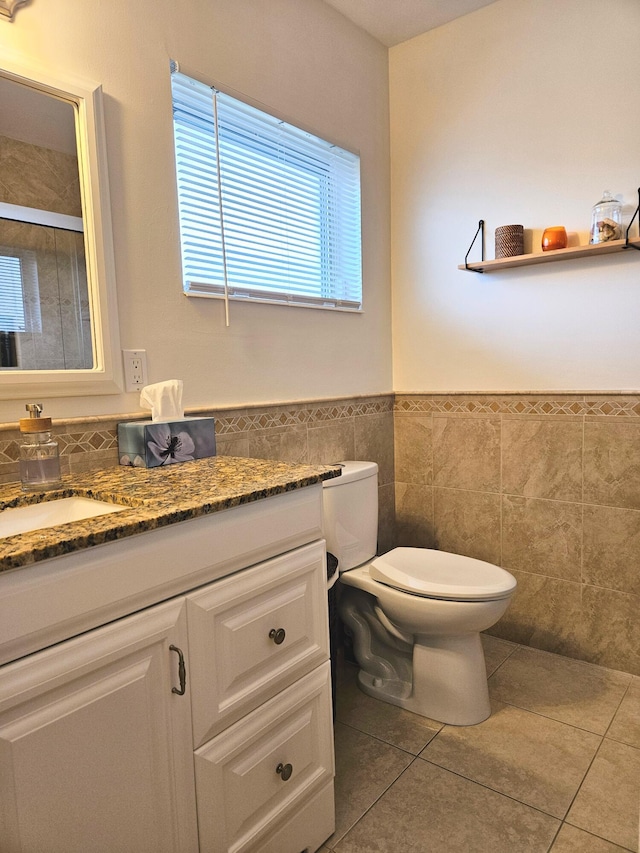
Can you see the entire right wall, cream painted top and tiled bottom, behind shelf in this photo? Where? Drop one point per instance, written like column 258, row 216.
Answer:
column 521, row 113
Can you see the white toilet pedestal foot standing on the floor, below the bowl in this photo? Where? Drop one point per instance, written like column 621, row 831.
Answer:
column 449, row 681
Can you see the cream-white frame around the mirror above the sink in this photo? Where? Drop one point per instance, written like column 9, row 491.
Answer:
column 106, row 375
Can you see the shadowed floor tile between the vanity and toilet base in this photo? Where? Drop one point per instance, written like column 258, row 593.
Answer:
column 390, row 723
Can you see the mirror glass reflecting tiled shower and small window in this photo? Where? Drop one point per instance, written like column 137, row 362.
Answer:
column 44, row 300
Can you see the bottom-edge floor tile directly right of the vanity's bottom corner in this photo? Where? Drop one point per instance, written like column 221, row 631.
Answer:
column 430, row 810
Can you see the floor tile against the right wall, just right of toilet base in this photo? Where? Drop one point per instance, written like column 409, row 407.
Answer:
column 566, row 690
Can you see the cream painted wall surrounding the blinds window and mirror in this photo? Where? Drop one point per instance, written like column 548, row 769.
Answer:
column 299, row 58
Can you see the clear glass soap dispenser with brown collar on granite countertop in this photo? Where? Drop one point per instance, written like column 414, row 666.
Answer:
column 39, row 453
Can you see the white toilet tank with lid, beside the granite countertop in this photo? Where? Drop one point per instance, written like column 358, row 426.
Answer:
column 350, row 514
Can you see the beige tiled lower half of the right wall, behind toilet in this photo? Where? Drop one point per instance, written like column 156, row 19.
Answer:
column 547, row 487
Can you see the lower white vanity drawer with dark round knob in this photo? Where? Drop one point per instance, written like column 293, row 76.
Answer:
column 251, row 778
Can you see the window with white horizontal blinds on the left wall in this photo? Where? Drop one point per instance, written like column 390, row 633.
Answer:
column 267, row 211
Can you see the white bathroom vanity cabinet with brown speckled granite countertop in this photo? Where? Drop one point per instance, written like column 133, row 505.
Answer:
column 165, row 679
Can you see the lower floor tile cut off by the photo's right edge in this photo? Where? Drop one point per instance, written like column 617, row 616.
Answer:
column 608, row 803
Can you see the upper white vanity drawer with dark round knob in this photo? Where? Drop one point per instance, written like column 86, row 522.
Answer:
column 253, row 634
